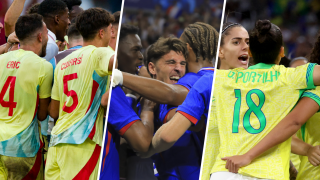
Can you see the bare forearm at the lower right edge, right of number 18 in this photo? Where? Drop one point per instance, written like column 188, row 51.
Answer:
column 302, row 148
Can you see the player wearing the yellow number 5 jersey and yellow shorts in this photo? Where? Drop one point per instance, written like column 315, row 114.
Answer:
column 80, row 80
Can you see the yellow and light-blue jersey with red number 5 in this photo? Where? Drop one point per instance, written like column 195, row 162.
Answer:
column 80, row 80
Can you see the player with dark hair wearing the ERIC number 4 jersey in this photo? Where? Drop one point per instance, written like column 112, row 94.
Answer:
column 25, row 84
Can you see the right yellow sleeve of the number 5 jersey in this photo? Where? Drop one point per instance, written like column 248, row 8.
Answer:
column 102, row 57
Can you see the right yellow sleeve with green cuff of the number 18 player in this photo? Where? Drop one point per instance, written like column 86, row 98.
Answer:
column 301, row 77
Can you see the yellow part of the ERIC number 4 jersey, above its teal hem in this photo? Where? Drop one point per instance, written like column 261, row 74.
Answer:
column 24, row 78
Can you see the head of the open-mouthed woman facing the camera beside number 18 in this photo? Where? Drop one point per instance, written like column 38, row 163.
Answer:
column 234, row 47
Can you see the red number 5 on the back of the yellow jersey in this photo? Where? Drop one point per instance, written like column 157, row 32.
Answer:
column 71, row 93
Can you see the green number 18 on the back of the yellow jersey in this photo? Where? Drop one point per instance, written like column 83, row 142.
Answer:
column 253, row 108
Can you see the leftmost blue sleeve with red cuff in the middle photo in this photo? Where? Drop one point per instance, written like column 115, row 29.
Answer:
column 121, row 115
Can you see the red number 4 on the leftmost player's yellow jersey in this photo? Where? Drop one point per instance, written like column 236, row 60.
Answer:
column 11, row 81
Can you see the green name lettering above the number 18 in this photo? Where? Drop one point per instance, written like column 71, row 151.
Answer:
column 254, row 76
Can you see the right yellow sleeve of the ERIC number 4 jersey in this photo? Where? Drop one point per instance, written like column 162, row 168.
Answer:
column 45, row 83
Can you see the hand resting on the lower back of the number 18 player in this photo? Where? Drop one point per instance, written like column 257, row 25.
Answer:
column 235, row 162
